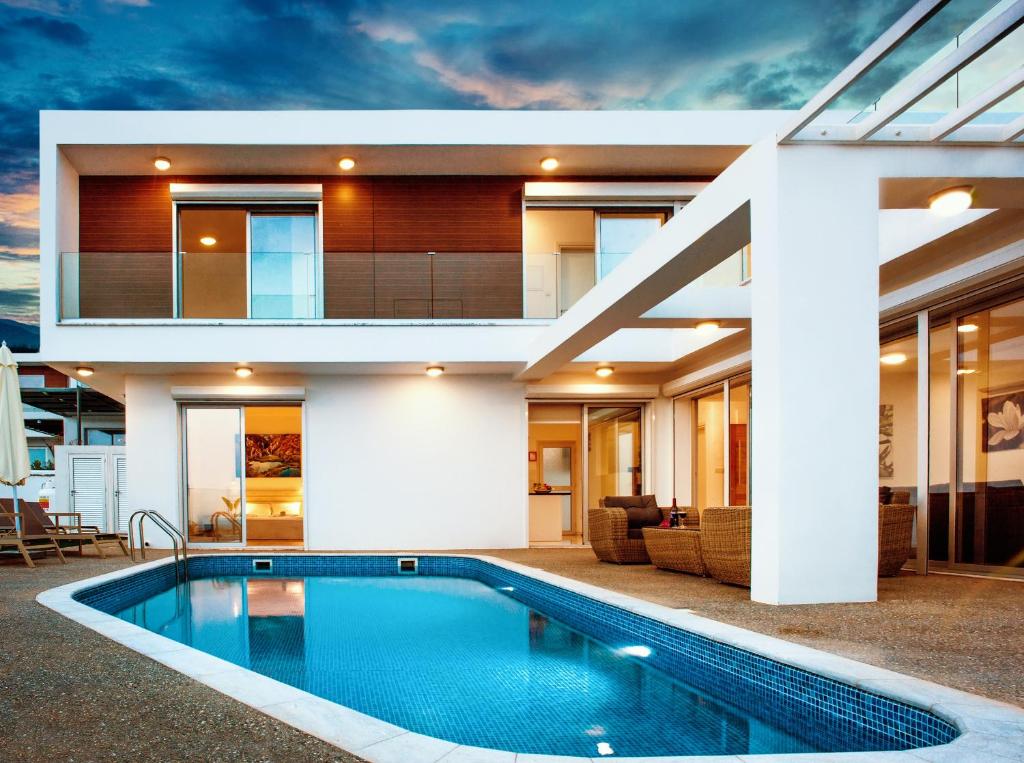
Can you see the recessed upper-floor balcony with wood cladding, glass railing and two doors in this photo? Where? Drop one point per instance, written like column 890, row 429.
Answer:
column 242, row 261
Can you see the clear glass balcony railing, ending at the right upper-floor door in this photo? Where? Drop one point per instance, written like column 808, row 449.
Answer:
column 291, row 285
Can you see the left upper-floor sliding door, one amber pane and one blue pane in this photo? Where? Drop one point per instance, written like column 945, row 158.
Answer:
column 257, row 262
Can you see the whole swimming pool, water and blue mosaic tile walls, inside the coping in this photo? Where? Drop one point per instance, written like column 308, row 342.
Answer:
column 480, row 655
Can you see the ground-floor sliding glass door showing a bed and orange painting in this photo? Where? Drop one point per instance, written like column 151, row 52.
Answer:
column 243, row 475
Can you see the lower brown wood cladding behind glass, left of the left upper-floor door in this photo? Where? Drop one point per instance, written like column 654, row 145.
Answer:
column 124, row 285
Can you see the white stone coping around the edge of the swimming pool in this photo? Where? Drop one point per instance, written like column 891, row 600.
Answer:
column 991, row 732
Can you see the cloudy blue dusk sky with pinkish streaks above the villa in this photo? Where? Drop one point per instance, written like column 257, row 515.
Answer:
column 460, row 55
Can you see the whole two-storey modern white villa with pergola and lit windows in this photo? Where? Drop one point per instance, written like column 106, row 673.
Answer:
column 444, row 330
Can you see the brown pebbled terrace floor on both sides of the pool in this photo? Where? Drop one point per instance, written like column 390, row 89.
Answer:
column 60, row 681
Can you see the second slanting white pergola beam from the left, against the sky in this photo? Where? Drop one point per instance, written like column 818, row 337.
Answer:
column 973, row 48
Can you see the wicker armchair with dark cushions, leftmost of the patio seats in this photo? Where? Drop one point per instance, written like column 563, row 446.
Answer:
column 617, row 528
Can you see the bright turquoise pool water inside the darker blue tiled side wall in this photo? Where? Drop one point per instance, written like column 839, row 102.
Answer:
column 454, row 659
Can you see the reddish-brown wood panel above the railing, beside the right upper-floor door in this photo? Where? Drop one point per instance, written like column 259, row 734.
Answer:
column 448, row 215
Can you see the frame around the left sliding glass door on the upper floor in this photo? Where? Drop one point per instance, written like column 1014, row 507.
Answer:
column 250, row 205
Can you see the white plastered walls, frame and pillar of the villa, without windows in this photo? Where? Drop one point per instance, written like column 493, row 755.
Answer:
column 397, row 460
